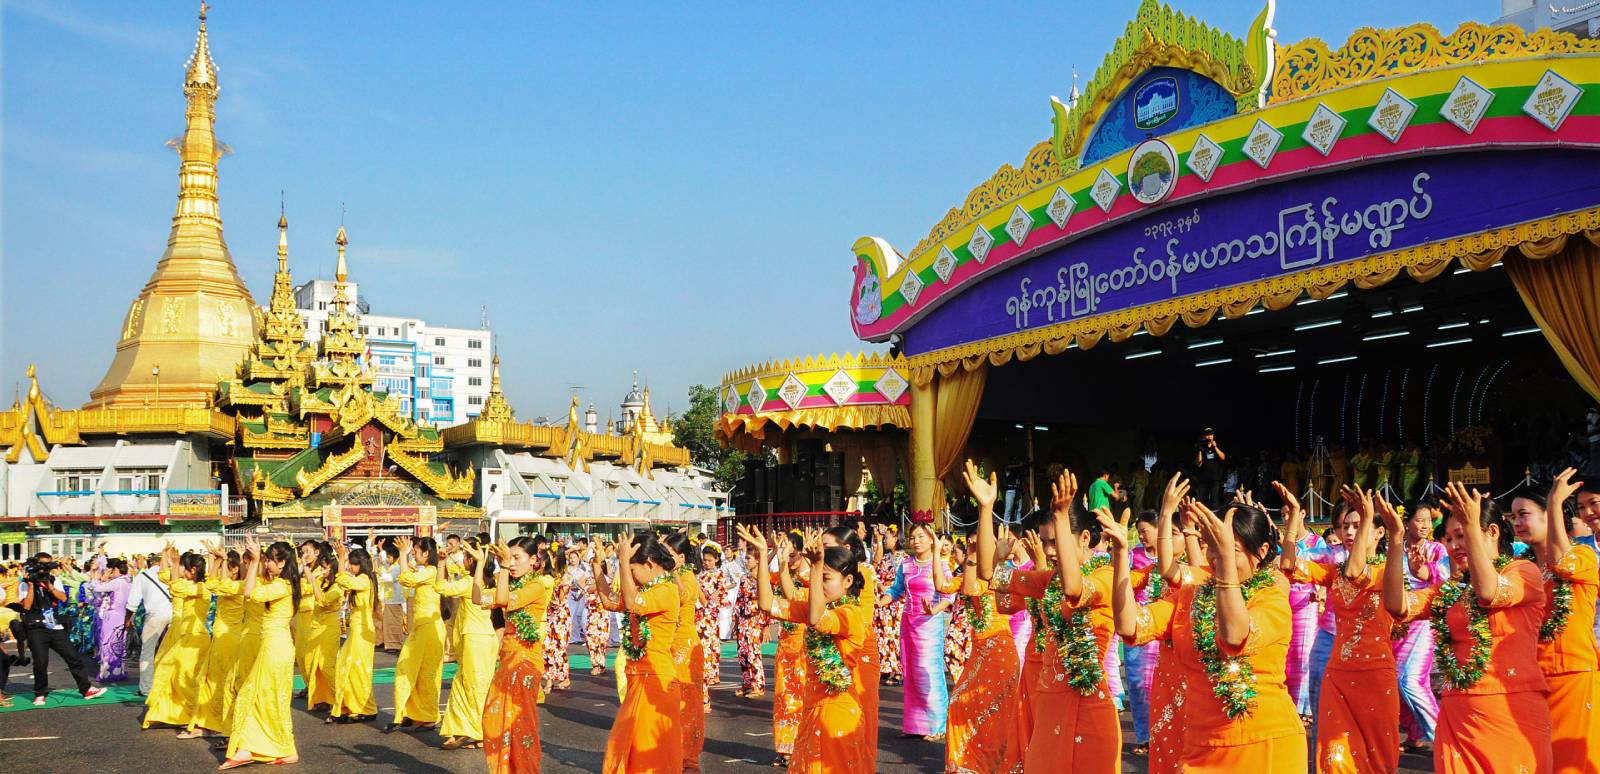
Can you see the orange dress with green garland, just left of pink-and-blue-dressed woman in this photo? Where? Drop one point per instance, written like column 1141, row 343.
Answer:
column 834, row 728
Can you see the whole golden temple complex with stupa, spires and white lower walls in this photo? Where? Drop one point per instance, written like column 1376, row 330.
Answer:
column 220, row 415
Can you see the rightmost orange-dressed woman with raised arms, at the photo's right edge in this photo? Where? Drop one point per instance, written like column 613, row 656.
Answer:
column 1567, row 645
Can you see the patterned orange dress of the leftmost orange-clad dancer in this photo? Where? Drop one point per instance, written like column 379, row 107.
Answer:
column 511, row 714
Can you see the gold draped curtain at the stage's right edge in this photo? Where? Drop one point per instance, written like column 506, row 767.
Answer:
column 1561, row 287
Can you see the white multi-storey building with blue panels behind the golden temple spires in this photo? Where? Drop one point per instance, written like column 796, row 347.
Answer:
column 441, row 375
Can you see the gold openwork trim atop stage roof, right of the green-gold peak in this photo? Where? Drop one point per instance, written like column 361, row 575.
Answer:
column 1310, row 68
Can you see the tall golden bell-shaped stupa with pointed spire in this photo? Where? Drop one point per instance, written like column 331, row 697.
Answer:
column 194, row 321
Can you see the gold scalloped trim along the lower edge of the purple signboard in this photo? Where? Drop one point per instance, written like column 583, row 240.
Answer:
column 1476, row 252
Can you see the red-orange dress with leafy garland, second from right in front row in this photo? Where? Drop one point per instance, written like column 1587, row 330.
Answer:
column 1494, row 716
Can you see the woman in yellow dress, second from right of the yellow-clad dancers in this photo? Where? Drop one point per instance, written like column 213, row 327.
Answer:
column 423, row 655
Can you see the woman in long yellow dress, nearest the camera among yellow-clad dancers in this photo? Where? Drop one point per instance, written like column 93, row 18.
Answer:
column 262, row 728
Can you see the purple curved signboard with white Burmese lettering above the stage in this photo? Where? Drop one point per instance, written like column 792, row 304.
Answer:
column 1266, row 233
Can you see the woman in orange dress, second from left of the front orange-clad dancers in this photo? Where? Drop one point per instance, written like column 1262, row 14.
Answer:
column 646, row 735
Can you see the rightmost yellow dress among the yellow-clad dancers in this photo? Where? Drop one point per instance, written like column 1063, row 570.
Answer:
column 476, row 655
